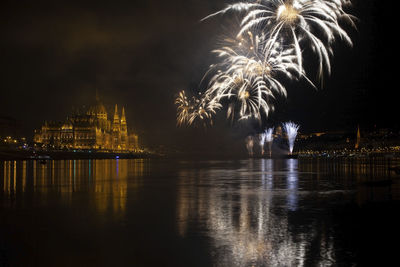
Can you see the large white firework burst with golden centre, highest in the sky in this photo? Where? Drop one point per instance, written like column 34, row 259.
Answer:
column 292, row 21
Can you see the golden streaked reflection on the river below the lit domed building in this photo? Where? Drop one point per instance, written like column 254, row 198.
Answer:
column 105, row 181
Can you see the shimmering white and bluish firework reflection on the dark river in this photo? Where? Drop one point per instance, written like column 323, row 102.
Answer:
column 247, row 213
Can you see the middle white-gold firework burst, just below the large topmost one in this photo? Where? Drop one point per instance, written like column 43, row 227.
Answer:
column 246, row 75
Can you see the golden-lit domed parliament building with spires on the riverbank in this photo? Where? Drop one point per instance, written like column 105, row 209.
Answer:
column 91, row 129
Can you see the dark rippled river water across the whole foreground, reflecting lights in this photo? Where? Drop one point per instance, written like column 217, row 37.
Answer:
column 256, row 212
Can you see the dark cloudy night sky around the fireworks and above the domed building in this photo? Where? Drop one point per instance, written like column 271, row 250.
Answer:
column 54, row 54
